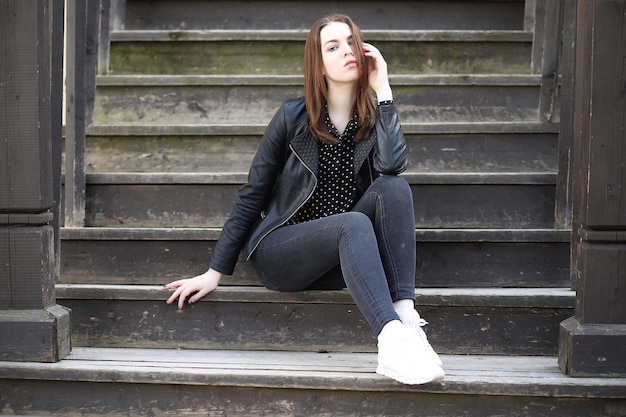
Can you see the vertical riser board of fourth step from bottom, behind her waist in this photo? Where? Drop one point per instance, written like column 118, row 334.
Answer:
column 458, row 205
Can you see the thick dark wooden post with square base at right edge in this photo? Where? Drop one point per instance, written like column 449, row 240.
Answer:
column 592, row 343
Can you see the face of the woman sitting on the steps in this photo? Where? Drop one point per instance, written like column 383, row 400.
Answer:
column 340, row 65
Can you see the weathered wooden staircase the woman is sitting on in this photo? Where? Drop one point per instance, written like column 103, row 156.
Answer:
column 190, row 87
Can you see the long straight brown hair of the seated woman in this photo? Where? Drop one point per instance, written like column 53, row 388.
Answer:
column 316, row 89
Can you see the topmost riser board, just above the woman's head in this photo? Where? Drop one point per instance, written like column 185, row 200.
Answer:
column 285, row 14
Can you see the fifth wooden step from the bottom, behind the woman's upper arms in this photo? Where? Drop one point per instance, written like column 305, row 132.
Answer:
column 474, row 147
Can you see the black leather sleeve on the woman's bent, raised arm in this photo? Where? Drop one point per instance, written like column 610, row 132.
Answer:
column 390, row 155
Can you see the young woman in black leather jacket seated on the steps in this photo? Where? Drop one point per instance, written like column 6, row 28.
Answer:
column 323, row 196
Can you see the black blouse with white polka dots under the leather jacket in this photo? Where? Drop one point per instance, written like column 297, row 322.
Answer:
column 336, row 187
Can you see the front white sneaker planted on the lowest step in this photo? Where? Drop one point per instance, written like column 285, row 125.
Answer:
column 400, row 358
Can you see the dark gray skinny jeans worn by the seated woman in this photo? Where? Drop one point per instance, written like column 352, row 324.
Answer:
column 371, row 247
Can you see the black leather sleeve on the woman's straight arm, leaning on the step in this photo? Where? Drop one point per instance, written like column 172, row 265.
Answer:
column 253, row 196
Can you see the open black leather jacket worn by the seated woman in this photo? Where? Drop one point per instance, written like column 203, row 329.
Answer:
column 284, row 171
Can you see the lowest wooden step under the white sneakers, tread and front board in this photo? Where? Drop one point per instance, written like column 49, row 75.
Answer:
column 164, row 382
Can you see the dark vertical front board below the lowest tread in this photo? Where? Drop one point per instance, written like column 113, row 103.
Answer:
column 129, row 400
